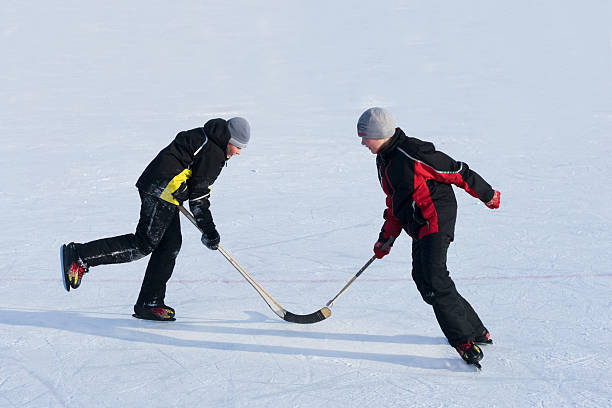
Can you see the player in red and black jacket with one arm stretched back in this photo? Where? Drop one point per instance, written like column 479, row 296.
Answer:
column 417, row 180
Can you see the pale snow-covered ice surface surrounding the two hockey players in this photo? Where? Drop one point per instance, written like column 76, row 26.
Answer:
column 91, row 91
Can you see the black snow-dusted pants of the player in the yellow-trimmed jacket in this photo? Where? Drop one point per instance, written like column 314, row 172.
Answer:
column 158, row 233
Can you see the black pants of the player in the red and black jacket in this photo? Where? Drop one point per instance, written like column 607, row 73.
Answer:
column 456, row 317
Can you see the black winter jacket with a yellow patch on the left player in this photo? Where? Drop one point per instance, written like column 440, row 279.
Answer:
column 187, row 167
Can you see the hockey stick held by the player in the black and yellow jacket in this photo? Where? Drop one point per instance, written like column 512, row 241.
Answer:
column 315, row 317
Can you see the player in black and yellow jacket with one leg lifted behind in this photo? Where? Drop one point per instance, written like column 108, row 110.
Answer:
column 184, row 170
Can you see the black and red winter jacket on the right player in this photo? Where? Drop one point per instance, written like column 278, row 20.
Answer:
column 417, row 181
